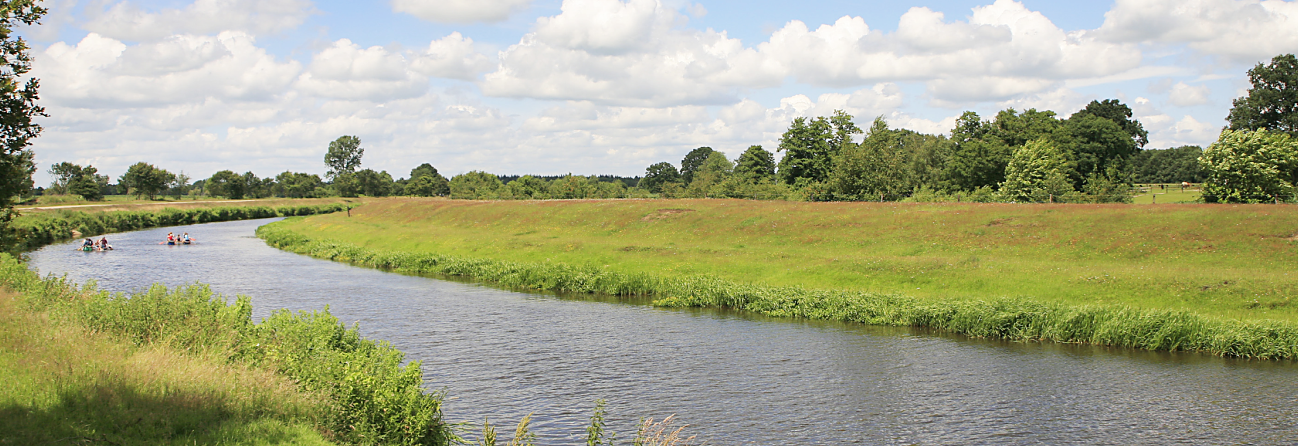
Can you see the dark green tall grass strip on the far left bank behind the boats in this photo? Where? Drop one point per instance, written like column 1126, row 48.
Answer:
column 42, row 229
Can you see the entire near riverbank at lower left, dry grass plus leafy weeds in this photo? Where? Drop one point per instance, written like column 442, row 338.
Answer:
column 184, row 366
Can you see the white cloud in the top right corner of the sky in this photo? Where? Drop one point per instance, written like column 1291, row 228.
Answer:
column 1242, row 30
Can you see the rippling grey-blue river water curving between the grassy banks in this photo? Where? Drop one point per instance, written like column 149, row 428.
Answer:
column 737, row 379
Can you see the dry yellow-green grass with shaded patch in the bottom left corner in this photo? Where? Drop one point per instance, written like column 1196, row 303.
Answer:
column 64, row 384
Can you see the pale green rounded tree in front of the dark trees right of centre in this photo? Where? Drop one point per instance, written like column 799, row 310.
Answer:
column 1038, row 173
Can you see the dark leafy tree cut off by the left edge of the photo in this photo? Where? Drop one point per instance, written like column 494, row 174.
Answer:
column 18, row 110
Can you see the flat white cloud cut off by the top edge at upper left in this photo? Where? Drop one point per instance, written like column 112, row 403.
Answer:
column 127, row 21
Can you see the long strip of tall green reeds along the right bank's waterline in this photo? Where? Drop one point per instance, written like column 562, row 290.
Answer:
column 1000, row 318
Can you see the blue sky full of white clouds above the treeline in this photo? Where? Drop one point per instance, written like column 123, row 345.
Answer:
column 552, row 88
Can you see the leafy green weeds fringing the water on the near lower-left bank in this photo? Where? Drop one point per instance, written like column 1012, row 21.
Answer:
column 369, row 397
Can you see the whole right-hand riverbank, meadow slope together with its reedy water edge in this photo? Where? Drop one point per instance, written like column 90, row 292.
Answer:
column 1206, row 278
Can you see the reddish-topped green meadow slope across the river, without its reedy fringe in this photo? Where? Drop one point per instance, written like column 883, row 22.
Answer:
column 1221, row 261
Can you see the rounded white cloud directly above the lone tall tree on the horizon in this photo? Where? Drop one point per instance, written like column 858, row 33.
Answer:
column 346, row 71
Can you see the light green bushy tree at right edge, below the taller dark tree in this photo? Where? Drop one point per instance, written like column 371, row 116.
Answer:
column 1251, row 167
